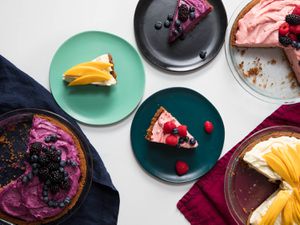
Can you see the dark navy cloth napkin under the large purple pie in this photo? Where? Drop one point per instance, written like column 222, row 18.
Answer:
column 18, row 90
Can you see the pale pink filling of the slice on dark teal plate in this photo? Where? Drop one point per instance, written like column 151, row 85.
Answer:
column 158, row 134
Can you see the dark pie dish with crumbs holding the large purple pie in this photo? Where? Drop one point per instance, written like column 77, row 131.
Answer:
column 20, row 120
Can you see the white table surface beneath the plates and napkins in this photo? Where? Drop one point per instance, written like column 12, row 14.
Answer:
column 32, row 30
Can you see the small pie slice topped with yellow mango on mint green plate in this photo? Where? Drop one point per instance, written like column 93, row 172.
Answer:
column 100, row 71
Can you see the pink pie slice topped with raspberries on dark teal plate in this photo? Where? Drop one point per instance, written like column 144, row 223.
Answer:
column 166, row 129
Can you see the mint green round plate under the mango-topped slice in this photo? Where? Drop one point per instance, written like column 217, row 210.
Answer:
column 98, row 105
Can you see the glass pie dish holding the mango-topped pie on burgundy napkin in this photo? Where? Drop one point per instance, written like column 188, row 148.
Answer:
column 241, row 195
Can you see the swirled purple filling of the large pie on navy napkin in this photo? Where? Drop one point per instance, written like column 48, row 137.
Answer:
column 24, row 201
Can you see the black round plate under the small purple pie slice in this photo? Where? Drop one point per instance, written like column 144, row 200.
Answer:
column 182, row 55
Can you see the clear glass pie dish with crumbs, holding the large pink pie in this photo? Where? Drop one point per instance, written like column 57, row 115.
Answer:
column 274, row 82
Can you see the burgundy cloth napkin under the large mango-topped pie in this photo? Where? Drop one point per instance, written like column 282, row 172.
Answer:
column 204, row 203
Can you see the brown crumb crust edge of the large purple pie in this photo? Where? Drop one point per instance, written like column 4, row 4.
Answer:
column 82, row 181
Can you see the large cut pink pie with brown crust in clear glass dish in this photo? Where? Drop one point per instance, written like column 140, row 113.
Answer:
column 258, row 26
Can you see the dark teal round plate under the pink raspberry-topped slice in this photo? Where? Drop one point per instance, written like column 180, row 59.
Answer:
column 192, row 109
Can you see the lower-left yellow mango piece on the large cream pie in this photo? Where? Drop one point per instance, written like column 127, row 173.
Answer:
column 276, row 207
